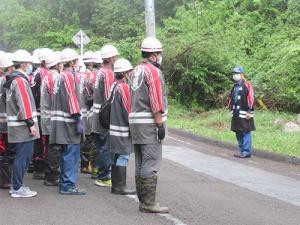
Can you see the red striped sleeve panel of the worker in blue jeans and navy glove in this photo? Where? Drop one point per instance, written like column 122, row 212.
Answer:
column 70, row 87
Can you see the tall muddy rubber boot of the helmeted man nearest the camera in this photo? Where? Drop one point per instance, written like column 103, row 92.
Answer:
column 148, row 192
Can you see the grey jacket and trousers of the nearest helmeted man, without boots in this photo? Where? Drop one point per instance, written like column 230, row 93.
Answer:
column 148, row 96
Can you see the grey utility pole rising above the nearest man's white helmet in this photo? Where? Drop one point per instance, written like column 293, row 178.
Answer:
column 150, row 18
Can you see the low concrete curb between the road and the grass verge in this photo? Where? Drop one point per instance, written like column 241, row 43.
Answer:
column 256, row 152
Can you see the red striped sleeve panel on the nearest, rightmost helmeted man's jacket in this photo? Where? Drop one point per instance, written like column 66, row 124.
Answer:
column 154, row 83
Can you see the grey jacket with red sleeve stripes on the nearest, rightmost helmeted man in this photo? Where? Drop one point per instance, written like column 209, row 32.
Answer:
column 148, row 96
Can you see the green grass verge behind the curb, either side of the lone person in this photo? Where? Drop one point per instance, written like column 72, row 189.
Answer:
column 216, row 124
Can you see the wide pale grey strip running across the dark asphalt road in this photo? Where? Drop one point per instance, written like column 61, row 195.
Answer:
column 254, row 179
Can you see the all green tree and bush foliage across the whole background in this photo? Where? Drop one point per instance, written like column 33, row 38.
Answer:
column 203, row 40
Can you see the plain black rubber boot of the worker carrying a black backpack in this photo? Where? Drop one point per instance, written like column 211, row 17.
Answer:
column 118, row 178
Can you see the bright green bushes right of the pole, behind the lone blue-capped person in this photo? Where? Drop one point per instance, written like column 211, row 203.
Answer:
column 207, row 38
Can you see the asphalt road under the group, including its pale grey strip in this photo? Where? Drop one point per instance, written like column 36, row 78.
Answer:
column 201, row 184
